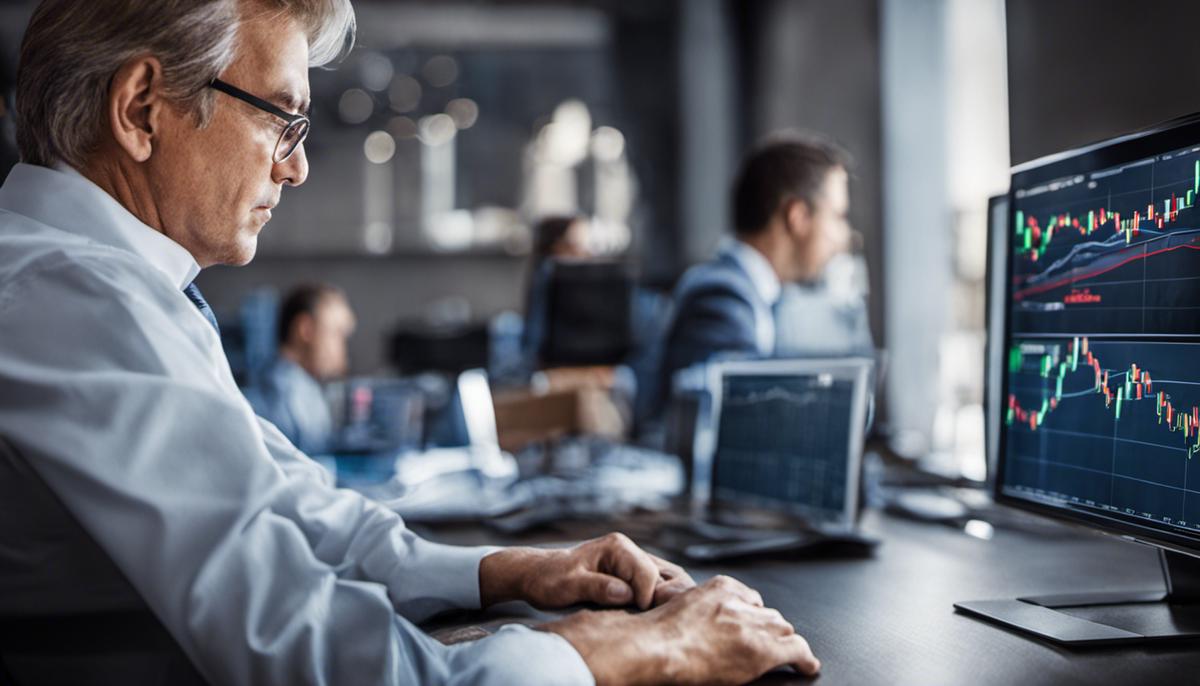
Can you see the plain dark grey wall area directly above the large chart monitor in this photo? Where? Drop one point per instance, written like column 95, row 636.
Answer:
column 1081, row 71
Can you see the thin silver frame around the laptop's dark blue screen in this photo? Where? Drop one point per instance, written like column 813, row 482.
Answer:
column 855, row 369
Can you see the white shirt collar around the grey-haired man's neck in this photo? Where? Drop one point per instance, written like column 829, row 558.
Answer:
column 65, row 200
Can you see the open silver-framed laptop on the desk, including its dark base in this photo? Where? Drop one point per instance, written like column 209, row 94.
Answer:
column 779, row 461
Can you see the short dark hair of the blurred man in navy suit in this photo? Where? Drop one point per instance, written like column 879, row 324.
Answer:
column 793, row 166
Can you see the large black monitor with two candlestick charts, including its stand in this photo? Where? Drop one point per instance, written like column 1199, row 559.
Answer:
column 1101, row 372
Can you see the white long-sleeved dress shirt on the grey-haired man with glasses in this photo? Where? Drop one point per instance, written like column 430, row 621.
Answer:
column 115, row 393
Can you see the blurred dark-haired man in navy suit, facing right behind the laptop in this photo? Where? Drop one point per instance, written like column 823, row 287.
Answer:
column 790, row 220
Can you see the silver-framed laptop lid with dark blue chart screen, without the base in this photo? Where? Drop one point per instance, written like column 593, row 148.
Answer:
column 788, row 437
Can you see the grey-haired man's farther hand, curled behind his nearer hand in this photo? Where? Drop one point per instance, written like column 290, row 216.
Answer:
column 609, row 571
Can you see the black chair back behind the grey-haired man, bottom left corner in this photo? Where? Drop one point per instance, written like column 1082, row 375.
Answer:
column 47, row 647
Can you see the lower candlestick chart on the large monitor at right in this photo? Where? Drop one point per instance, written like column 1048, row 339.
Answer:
column 1108, row 424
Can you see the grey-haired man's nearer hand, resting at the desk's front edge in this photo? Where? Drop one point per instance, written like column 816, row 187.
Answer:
column 716, row 634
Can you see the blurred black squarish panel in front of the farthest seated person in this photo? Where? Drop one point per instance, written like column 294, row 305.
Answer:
column 589, row 314
